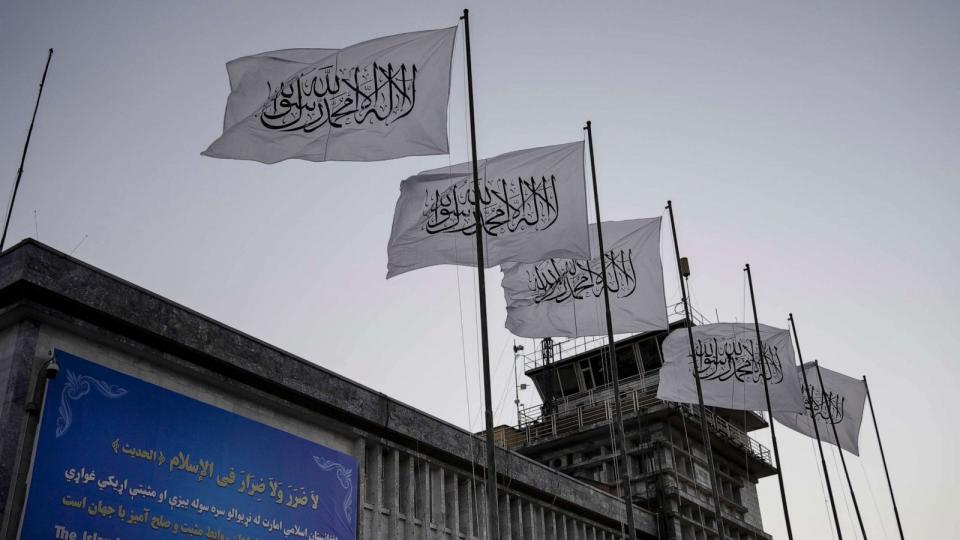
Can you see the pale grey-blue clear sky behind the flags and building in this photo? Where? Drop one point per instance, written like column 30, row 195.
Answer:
column 817, row 141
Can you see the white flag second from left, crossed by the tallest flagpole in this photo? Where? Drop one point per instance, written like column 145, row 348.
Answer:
column 534, row 207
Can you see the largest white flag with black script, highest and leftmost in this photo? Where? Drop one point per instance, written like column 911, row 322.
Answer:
column 380, row 99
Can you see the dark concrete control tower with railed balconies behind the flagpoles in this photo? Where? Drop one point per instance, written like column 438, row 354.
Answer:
column 572, row 432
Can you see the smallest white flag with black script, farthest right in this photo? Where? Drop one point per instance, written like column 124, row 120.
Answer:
column 841, row 398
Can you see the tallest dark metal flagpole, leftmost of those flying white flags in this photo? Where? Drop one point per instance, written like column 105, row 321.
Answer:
column 492, row 510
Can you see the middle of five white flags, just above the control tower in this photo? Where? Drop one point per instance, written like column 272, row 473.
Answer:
column 564, row 297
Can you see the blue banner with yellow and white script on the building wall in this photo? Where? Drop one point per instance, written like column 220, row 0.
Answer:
column 121, row 458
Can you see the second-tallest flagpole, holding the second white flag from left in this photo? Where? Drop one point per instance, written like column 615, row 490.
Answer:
column 614, row 370
